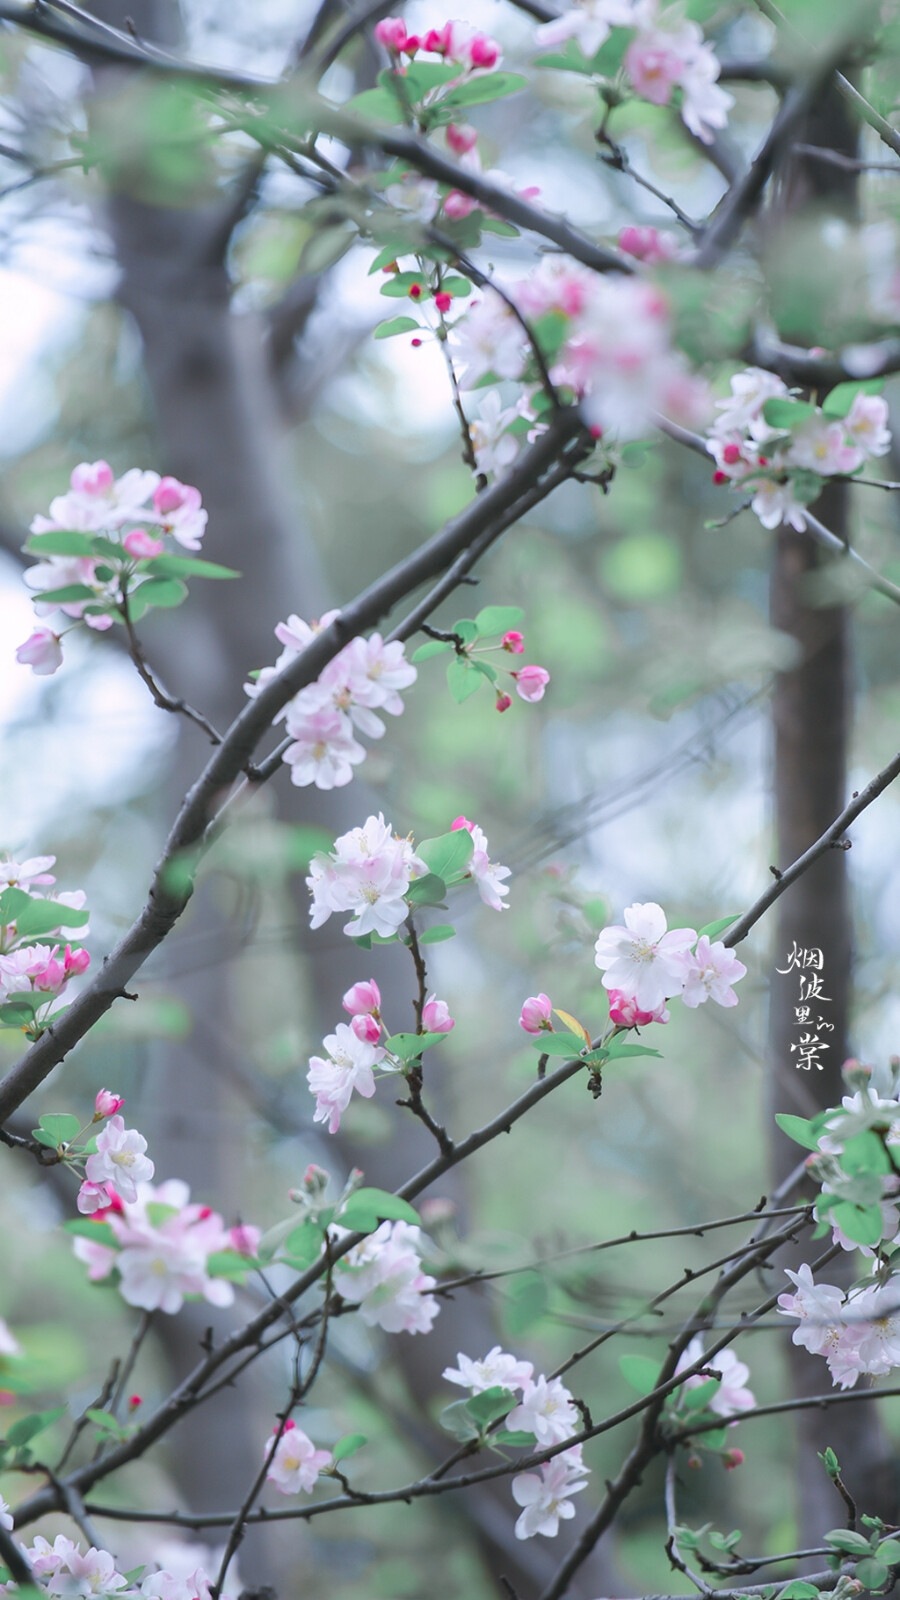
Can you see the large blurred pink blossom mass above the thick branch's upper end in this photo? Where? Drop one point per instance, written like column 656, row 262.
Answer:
column 616, row 354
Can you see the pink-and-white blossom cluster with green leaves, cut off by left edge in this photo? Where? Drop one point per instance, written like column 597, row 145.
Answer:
column 36, row 966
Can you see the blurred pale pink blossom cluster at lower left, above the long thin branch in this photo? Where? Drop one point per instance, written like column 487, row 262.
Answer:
column 163, row 1249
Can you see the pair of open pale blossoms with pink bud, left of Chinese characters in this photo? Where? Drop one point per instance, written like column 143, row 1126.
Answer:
column 646, row 964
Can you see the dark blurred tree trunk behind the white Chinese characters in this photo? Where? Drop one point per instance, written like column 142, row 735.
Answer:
column 813, row 724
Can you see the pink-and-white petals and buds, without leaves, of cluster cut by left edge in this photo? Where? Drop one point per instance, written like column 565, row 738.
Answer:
column 39, row 969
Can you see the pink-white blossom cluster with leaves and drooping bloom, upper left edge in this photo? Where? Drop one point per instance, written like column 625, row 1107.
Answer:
column 105, row 556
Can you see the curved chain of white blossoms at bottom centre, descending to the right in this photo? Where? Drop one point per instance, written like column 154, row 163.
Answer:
column 547, row 1410
